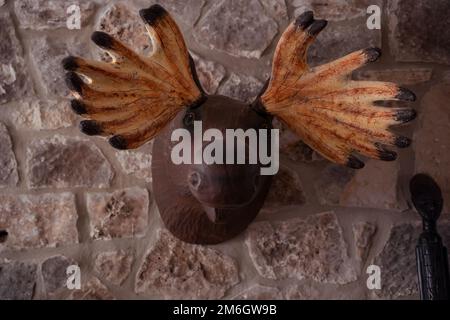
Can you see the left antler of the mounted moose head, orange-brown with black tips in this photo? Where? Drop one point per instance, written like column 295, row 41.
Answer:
column 132, row 98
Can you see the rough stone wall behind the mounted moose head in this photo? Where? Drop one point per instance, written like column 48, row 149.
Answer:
column 68, row 199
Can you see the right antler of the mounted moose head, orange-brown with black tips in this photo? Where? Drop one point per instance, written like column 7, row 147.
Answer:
column 331, row 113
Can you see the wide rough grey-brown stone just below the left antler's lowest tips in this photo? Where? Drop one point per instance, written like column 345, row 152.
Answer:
column 62, row 162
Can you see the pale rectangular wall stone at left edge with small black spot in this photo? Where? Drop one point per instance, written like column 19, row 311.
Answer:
column 33, row 221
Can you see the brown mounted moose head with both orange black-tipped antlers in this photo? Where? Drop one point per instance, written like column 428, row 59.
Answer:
column 136, row 98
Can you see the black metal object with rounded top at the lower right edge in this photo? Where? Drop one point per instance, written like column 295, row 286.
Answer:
column 431, row 254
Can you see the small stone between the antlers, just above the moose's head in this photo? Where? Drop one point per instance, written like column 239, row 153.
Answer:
column 241, row 87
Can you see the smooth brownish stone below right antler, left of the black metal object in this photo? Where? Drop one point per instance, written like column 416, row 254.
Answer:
column 375, row 186
